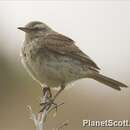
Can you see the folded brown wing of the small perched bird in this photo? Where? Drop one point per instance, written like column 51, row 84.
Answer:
column 63, row 45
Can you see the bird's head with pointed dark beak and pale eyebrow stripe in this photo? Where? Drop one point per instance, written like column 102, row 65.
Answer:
column 35, row 29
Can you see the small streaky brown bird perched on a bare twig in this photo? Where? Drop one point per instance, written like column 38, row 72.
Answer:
column 54, row 60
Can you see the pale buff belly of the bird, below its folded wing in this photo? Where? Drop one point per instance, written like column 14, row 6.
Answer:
column 53, row 69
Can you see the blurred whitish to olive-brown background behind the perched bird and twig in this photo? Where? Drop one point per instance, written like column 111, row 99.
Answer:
column 103, row 33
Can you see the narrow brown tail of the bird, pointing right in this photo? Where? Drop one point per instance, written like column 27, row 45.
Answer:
column 108, row 81
